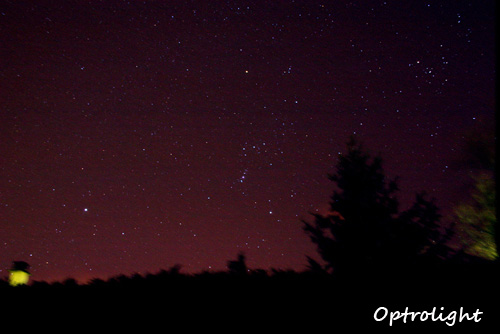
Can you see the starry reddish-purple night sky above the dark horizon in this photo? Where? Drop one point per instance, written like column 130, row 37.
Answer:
column 136, row 135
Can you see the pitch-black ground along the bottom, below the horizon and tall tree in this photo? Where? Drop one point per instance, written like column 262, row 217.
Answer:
column 278, row 301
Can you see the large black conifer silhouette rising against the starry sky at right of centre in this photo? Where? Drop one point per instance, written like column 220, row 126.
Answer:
column 363, row 229
